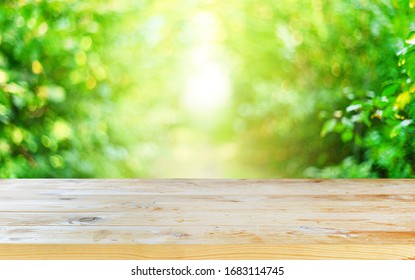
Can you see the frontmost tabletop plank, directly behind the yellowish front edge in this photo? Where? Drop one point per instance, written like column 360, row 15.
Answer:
column 201, row 235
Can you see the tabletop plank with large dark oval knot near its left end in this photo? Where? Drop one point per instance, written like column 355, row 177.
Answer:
column 196, row 218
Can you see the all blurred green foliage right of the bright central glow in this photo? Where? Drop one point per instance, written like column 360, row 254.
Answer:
column 320, row 90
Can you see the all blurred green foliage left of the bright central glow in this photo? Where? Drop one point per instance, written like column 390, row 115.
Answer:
column 86, row 87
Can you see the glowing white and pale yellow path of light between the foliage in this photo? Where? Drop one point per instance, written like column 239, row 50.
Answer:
column 205, row 97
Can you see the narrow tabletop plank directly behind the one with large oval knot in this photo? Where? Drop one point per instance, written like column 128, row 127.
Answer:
column 130, row 205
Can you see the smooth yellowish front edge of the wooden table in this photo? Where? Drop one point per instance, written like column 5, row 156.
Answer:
column 206, row 252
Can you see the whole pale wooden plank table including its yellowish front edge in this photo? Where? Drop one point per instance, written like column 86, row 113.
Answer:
column 207, row 219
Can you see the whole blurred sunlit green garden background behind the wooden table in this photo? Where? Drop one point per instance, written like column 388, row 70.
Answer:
column 207, row 88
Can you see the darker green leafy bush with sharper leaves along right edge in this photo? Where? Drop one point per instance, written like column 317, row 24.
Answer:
column 377, row 119
